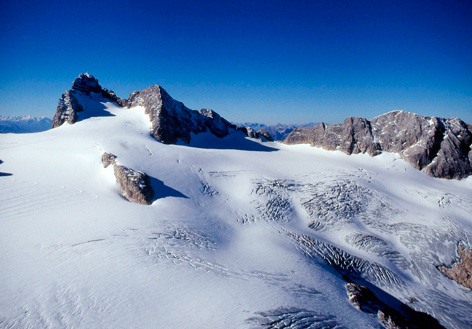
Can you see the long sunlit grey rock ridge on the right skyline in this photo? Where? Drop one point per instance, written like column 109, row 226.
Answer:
column 437, row 146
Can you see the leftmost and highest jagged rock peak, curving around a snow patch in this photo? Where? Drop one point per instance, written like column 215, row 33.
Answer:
column 69, row 106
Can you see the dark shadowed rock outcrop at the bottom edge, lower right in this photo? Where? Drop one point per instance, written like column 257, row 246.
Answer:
column 364, row 300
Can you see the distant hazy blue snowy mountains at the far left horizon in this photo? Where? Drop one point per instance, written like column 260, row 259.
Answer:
column 23, row 124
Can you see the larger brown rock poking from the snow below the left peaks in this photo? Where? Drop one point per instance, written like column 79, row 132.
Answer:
column 135, row 185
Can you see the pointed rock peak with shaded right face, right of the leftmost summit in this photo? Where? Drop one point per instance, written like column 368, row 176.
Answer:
column 172, row 121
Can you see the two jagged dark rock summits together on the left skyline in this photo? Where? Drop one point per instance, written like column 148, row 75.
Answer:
column 171, row 120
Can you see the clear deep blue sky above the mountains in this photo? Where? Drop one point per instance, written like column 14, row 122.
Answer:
column 265, row 61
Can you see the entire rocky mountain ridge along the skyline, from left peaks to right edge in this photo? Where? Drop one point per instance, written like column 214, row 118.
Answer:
column 439, row 147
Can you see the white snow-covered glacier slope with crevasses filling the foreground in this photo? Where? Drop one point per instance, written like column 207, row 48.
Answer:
column 240, row 234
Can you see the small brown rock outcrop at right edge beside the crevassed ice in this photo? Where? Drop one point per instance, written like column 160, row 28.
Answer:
column 461, row 271
